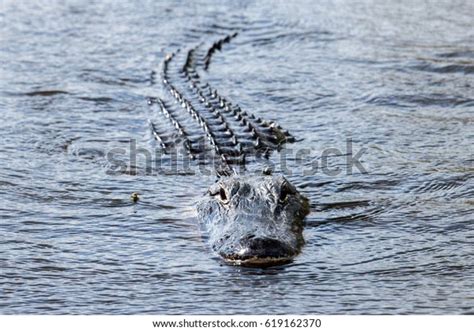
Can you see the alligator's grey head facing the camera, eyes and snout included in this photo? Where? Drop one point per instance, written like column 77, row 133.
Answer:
column 254, row 221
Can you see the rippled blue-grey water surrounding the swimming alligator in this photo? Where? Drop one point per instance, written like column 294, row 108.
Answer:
column 395, row 78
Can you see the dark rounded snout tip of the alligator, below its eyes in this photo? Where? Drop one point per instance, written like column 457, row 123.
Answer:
column 260, row 251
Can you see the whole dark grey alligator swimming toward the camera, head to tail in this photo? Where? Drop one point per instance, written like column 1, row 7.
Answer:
column 250, row 220
